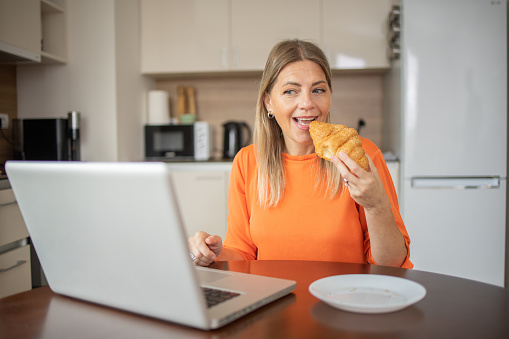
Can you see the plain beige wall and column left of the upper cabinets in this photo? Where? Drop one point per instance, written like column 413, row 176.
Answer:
column 101, row 80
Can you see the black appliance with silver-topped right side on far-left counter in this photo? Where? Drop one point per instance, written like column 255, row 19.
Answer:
column 47, row 138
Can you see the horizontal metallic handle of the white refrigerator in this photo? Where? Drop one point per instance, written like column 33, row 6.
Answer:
column 456, row 182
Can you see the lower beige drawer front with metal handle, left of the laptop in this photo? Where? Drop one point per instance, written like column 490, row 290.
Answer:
column 15, row 274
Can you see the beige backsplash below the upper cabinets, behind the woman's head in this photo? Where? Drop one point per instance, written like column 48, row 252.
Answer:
column 220, row 99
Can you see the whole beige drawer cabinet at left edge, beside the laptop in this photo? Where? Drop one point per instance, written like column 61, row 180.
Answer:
column 15, row 272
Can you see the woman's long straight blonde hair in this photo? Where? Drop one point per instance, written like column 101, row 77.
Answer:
column 268, row 136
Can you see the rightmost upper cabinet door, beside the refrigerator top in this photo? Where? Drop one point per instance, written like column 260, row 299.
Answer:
column 355, row 33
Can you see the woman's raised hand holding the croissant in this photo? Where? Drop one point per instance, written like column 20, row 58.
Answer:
column 365, row 187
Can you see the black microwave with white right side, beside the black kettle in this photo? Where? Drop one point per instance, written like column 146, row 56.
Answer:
column 178, row 142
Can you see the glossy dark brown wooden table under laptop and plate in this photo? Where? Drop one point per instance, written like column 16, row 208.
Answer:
column 452, row 308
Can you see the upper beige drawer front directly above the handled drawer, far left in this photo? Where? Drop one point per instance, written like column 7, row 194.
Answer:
column 12, row 226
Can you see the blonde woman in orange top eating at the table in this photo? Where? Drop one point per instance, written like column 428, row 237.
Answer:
column 287, row 203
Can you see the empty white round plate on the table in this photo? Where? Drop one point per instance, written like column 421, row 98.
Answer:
column 367, row 293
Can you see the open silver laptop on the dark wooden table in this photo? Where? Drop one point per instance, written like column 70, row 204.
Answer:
column 111, row 233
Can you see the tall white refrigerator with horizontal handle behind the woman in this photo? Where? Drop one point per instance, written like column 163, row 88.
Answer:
column 445, row 116
